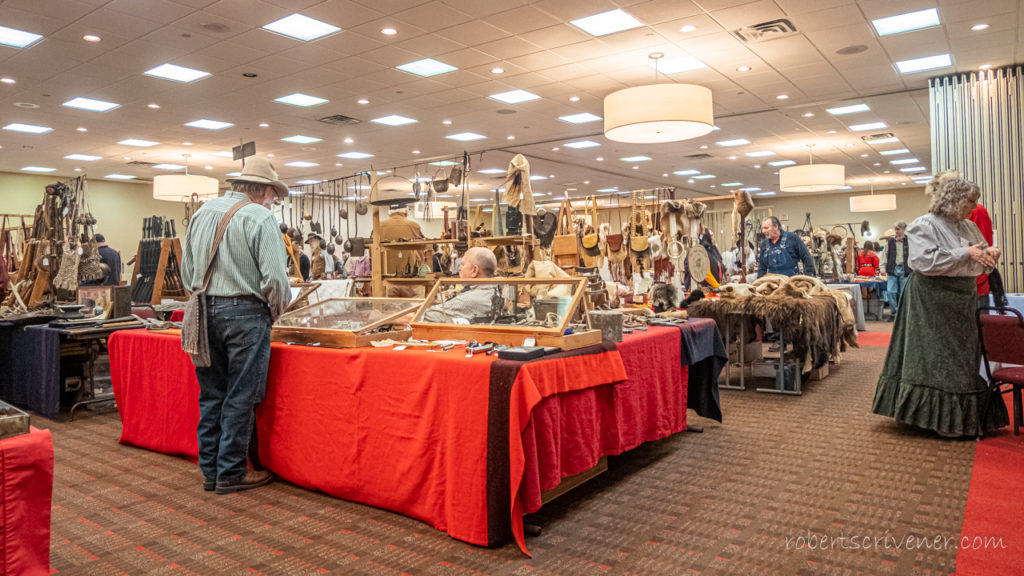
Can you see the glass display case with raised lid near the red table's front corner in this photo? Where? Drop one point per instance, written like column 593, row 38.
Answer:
column 507, row 311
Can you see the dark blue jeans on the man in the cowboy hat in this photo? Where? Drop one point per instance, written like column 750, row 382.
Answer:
column 235, row 383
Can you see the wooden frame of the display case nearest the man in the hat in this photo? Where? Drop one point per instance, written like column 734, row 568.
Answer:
column 346, row 339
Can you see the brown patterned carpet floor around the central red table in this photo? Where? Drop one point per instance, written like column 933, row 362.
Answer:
column 736, row 500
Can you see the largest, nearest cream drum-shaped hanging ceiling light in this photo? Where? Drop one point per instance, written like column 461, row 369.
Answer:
column 659, row 113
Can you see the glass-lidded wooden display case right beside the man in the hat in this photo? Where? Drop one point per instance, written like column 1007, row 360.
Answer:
column 347, row 322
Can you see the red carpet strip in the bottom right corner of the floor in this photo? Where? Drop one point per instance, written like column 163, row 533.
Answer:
column 993, row 538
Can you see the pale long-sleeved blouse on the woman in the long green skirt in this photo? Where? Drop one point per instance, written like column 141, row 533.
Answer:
column 940, row 246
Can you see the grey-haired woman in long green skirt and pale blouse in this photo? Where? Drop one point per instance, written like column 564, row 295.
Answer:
column 931, row 379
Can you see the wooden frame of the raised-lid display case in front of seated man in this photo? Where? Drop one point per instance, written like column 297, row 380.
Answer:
column 513, row 336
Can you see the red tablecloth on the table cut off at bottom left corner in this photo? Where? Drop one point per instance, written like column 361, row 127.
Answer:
column 26, row 492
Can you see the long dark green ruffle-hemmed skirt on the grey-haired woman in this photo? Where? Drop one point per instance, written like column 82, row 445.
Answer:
column 931, row 377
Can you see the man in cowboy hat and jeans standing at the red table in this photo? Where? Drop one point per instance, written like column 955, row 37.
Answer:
column 248, row 291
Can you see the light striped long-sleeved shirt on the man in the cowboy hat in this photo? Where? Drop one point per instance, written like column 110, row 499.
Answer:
column 251, row 261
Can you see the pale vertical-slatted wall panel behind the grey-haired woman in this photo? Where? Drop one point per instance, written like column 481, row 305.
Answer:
column 976, row 128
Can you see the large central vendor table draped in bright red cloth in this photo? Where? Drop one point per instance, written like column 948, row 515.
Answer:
column 464, row 444
